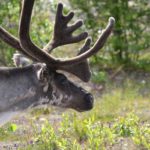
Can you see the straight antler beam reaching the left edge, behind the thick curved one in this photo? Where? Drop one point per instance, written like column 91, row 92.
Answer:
column 12, row 41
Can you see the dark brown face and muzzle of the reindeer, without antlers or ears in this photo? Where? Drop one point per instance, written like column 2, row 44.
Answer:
column 68, row 95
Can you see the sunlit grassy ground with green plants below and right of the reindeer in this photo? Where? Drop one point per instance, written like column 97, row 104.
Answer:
column 120, row 119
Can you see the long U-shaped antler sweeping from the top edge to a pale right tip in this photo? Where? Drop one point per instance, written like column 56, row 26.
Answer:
column 29, row 47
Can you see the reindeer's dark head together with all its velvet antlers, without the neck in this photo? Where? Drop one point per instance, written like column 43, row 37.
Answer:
column 61, row 91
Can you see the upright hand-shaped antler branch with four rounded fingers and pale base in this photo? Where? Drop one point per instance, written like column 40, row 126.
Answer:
column 62, row 32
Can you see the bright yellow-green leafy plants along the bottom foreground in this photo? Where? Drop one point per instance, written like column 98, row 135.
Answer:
column 91, row 134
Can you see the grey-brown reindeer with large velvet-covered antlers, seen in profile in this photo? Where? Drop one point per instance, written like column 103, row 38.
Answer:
column 40, row 83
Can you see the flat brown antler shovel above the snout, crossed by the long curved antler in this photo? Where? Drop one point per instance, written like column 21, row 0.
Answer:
column 82, row 69
